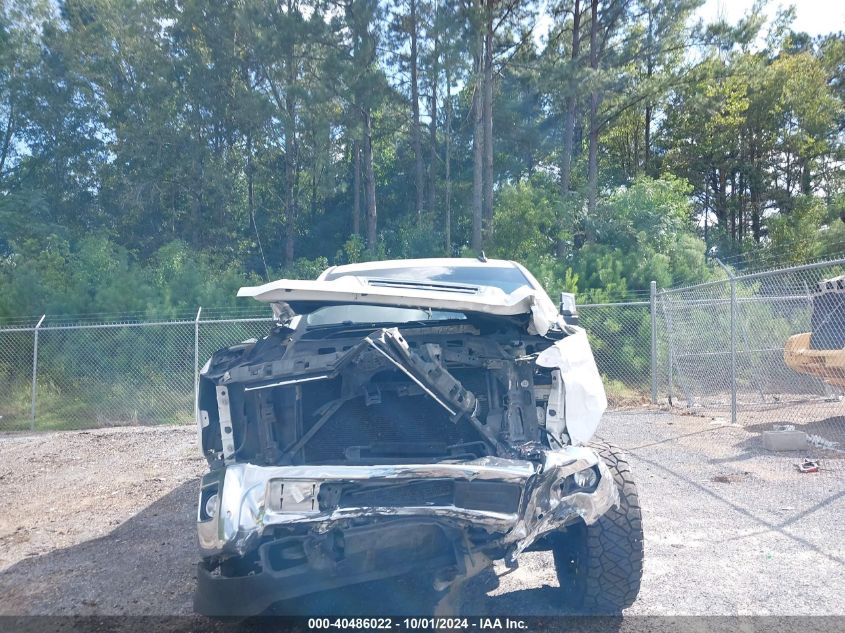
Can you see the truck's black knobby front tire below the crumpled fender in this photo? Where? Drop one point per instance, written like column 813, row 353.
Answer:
column 600, row 566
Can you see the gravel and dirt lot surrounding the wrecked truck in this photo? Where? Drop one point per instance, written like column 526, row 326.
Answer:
column 101, row 522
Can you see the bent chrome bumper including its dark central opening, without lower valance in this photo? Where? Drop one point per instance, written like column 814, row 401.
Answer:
column 515, row 498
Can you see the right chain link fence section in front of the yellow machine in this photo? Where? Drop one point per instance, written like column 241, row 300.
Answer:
column 765, row 349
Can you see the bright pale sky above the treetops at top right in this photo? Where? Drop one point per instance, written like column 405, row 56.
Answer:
column 816, row 17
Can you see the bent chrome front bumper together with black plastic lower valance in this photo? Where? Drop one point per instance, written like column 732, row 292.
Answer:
column 309, row 547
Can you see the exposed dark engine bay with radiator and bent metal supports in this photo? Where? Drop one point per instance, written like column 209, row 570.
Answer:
column 345, row 395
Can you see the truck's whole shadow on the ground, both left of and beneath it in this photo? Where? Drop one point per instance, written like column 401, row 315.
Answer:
column 146, row 565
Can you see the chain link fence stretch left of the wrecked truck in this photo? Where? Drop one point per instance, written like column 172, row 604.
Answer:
column 74, row 376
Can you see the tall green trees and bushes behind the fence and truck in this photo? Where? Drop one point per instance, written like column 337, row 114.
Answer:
column 155, row 155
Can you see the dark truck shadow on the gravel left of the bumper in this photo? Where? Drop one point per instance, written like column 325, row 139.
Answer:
column 144, row 566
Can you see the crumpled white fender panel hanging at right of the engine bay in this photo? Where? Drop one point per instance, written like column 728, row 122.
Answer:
column 577, row 400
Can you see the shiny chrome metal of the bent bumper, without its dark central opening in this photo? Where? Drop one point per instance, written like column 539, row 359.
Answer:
column 254, row 497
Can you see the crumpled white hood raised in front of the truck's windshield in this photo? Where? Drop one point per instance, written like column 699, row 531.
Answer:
column 296, row 296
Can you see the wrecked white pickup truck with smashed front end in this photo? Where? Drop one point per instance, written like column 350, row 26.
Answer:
column 422, row 417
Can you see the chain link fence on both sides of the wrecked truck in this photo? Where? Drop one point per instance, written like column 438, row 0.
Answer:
column 717, row 347
